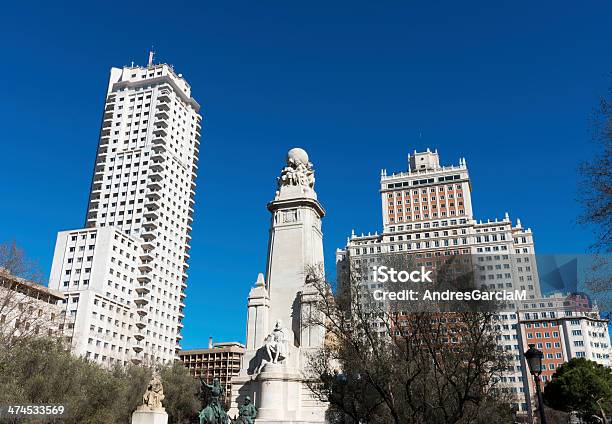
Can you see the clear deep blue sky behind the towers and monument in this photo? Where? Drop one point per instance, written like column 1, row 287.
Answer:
column 359, row 85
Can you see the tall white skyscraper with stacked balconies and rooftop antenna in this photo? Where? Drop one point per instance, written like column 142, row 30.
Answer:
column 125, row 272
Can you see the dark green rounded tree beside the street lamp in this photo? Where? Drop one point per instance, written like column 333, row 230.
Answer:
column 581, row 385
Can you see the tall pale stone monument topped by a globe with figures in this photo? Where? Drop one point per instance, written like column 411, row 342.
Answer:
column 278, row 341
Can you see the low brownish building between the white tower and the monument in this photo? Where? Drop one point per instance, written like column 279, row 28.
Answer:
column 219, row 360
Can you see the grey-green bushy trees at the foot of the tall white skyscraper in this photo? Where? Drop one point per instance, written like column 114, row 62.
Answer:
column 42, row 371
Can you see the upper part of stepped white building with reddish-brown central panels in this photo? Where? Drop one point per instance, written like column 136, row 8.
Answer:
column 427, row 212
